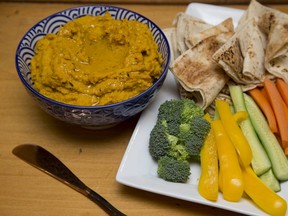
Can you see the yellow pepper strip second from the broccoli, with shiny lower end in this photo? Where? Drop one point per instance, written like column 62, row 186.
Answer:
column 232, row 184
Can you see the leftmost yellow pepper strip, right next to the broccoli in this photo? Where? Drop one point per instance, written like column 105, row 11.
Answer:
column 208, row 182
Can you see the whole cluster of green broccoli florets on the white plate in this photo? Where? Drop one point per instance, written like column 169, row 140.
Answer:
column 177, row 136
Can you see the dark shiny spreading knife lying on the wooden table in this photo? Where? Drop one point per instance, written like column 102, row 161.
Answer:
column 48, row 163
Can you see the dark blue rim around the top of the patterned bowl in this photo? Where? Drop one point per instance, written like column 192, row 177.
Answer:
column 71, row 106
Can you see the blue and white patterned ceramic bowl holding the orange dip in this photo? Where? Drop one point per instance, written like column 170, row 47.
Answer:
column 97, row 117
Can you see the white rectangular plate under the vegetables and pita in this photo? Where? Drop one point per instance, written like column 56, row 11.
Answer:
column 139, row 170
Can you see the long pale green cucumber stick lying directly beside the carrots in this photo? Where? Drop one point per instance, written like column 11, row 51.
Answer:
column 272, row 146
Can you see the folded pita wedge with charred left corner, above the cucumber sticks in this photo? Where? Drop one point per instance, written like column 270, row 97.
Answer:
column 242, row 57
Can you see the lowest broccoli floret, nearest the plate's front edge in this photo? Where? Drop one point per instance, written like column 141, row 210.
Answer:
column 173, row 170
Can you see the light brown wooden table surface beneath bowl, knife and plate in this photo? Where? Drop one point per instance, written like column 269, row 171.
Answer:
column 94, row 156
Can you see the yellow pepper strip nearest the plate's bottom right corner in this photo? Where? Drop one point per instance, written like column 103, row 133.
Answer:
column 262, row 195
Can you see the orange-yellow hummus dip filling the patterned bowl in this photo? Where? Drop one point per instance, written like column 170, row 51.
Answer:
column 96, row 60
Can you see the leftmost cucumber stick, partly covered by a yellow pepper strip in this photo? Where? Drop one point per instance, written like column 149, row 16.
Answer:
column 260, row 162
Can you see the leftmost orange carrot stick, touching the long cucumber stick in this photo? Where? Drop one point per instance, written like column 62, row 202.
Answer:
column 265, row 106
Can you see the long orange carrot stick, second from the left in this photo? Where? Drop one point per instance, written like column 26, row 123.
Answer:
column 277, row 106
